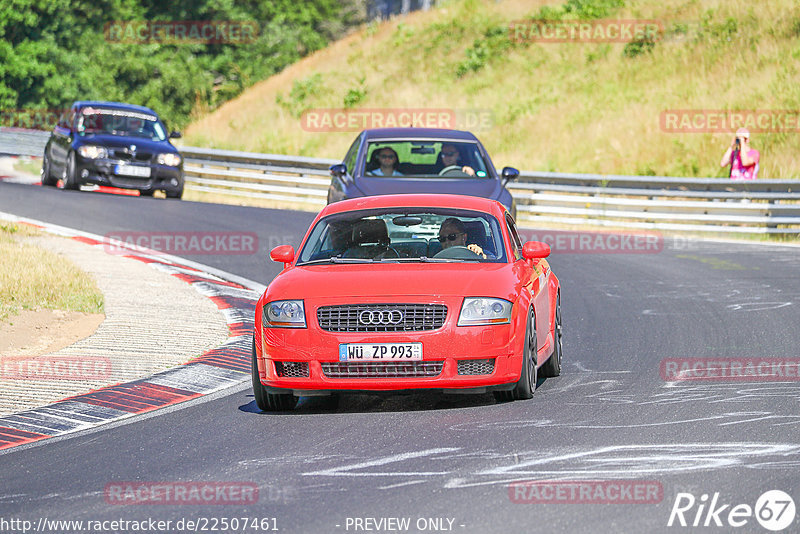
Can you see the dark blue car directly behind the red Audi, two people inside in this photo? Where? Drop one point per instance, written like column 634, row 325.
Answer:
column 419, row 160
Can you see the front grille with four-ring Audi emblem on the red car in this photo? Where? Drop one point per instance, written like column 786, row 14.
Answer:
column 381, row 317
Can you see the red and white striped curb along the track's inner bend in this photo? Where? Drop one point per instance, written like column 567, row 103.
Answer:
column 217, row 369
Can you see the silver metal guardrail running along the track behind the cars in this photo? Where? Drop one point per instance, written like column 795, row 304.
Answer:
column 643, row 202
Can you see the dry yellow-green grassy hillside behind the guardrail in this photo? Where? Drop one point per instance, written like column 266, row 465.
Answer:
column 581, row 107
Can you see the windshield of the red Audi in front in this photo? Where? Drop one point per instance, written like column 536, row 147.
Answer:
column 405, row 235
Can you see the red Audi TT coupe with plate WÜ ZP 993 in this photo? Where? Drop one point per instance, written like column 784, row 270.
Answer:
column 408, row 292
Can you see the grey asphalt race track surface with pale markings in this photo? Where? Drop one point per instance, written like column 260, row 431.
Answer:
column 446, row 463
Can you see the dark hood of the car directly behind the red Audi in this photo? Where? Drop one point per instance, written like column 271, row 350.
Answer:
column 477, row 187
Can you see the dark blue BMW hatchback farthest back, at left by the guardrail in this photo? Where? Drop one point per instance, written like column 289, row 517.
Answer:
column 113, row 144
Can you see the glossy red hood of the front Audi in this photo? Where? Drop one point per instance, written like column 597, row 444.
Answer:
column 396, row 280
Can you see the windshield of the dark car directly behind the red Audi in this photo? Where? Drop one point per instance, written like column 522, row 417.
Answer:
column 425, row 158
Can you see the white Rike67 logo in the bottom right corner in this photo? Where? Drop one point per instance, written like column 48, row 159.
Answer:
column 774, row 510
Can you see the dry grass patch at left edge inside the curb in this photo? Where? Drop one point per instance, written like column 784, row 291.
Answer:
column 33, row 278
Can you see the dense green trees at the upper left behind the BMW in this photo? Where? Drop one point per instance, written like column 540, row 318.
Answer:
column 180, row 58
